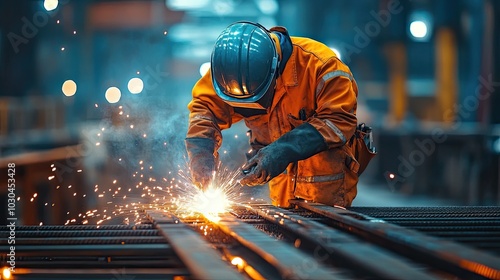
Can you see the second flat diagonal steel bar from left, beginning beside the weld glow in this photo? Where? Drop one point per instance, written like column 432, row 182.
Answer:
column 289, row 261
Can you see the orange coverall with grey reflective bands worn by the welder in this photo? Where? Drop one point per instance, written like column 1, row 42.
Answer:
column 315, row 81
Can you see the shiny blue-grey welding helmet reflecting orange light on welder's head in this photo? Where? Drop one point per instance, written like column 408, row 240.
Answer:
column 244, row 65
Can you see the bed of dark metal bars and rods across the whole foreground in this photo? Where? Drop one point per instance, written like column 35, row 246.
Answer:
column 257, row 241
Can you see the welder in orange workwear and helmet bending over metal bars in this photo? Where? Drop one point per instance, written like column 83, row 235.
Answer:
column 298, row 100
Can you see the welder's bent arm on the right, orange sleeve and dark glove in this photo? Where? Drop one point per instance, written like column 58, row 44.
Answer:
column 331, row 126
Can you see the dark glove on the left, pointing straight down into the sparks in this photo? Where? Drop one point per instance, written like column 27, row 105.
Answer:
column 201, row 160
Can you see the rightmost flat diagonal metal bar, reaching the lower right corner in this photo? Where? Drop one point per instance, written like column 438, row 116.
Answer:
column 449, row 256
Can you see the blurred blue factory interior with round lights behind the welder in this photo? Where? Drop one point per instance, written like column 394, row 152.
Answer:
column 91, row 91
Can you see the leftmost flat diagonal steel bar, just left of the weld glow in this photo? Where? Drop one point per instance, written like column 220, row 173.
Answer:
column 198, row 256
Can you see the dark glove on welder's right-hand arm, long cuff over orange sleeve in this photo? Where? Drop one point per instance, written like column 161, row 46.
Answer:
column 300, row 143
